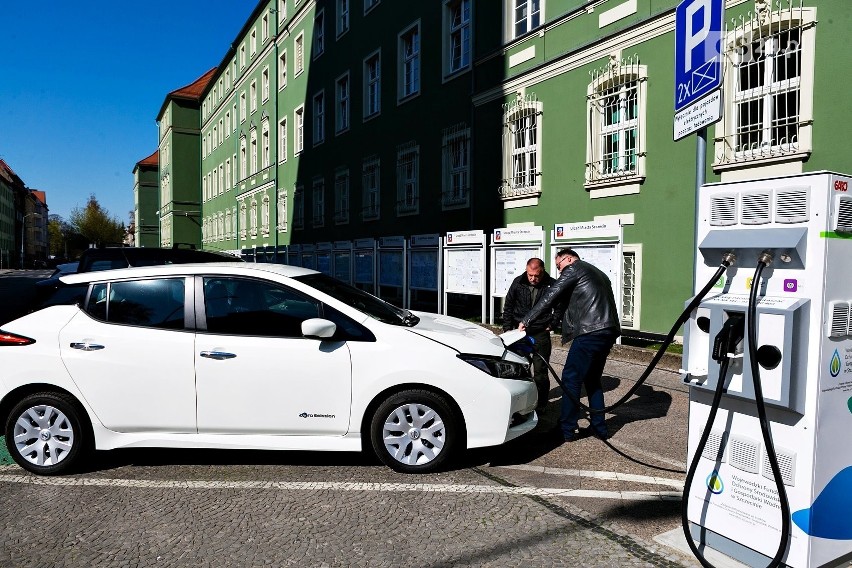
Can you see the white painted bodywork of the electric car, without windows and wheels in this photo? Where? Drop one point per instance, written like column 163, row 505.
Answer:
column 137, row 396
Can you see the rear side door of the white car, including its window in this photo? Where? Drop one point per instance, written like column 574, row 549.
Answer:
column 132, row 357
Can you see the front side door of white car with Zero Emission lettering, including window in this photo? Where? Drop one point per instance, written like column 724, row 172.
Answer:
column 256, row 373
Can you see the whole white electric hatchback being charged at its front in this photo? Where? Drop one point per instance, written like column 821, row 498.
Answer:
column 257, row 356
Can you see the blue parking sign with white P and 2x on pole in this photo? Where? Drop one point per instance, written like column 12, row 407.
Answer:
column 698, row 53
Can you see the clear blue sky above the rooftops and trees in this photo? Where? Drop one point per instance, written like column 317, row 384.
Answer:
column 81, row 84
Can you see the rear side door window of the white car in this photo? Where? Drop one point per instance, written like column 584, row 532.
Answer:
column 149, row 303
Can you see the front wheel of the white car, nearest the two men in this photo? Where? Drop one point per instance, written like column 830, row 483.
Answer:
column 415, row 431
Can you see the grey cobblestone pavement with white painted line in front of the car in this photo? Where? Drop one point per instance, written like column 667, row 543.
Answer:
column 533, row 502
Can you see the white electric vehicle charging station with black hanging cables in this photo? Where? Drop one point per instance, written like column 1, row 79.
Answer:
column 803, row 350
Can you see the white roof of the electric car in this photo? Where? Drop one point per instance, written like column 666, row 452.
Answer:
column 228, row 268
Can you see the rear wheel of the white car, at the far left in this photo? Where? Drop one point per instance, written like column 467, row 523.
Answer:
column 45, row 433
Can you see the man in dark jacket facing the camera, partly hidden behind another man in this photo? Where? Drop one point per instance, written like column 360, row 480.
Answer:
column 525, row 291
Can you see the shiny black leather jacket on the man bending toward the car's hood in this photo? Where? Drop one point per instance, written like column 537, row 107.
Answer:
column 591, row 304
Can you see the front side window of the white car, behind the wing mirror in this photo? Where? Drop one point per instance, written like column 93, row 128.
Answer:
column 236, row 306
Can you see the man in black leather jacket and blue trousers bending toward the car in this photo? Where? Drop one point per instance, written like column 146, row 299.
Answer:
column 591, row 323
